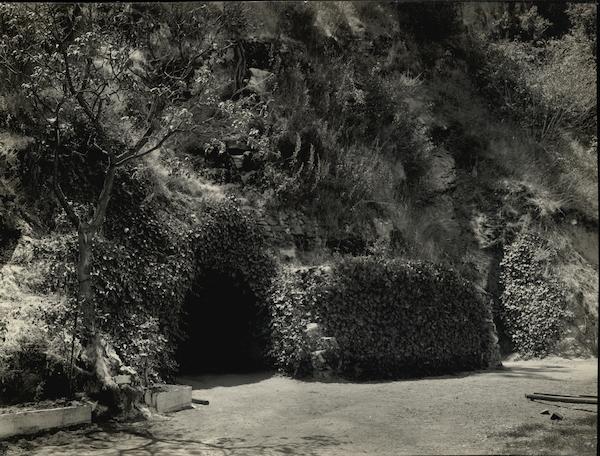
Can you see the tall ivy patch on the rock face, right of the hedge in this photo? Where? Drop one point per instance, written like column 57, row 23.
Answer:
column 533, row 303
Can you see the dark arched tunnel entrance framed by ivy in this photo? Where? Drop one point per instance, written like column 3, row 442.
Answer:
column 224, row 331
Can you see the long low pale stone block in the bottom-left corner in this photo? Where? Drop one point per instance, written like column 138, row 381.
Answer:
column 33, row 421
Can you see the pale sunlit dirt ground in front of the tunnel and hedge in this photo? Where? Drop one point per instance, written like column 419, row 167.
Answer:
column 266, row 414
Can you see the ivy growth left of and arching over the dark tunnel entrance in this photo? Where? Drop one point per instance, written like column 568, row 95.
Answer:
column 144, row 264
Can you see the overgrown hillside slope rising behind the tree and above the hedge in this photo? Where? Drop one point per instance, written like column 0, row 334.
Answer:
column 440, row 132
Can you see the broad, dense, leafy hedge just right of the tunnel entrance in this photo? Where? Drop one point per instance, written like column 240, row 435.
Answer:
column 390, row 317
